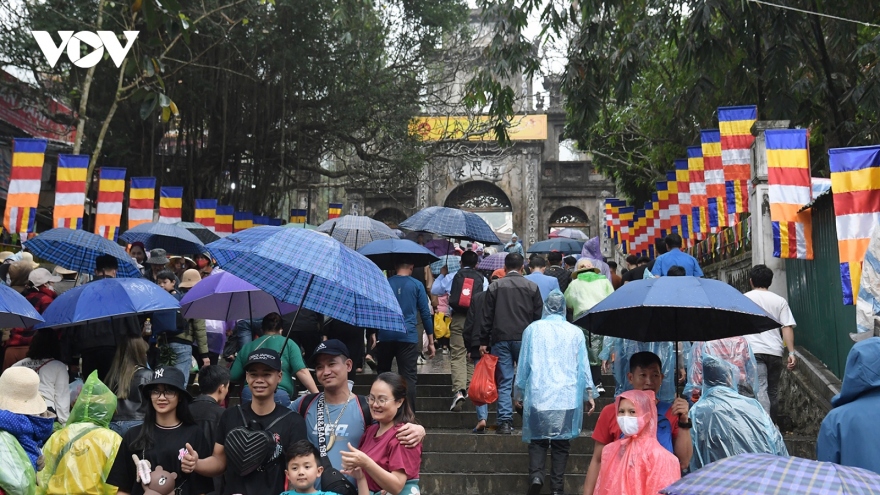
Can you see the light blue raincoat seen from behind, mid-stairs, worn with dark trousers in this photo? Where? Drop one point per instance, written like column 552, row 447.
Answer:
column 553, row 375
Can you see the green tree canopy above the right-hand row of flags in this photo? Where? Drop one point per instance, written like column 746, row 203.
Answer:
column 643, row 76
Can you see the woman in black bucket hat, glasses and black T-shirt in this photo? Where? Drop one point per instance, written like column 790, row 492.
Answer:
column 167, row 434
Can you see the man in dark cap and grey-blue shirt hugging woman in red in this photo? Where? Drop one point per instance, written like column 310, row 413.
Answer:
column 346, row 415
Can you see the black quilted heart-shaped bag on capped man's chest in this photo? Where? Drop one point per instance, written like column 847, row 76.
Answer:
column 249, row 449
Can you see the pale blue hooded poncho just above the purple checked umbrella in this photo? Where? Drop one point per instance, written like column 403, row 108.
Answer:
column 725, row 423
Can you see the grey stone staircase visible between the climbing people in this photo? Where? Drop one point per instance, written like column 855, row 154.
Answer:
column 458, row 462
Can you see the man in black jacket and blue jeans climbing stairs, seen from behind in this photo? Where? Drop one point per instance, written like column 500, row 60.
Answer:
column 512, row 303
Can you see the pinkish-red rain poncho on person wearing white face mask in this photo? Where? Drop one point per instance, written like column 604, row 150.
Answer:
column 637, row 464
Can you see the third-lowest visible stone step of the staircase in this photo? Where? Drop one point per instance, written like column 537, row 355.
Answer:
column 456, row 441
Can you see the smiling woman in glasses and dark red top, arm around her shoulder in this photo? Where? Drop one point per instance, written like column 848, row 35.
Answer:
column 382, row 463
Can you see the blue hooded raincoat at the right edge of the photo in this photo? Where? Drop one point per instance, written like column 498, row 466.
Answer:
column 849, row 433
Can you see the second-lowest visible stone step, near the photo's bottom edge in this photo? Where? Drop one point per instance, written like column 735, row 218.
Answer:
column 500, row 463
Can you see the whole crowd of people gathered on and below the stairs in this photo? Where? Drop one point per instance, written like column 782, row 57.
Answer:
column 109, row 406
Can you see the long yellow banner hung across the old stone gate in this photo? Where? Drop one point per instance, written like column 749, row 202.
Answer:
column 522, row 128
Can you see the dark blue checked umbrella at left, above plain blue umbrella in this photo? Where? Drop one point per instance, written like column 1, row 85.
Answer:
column 77, row 250
